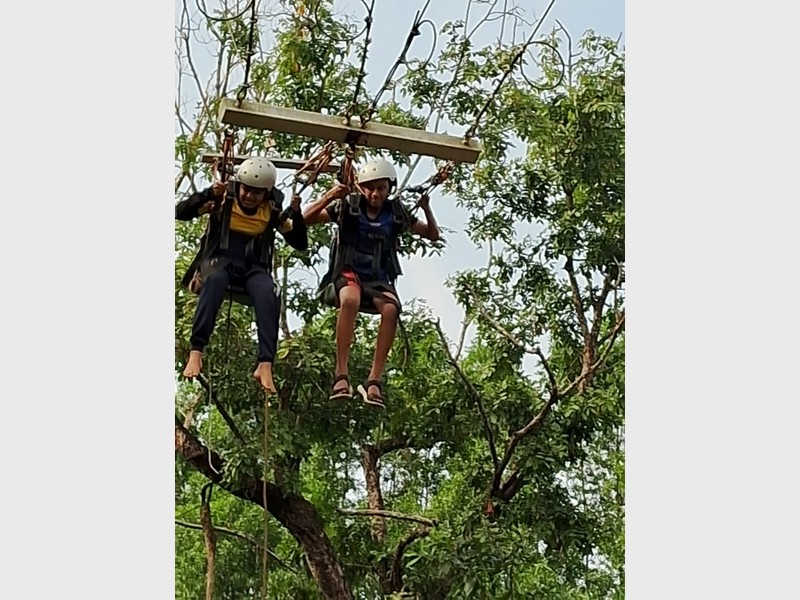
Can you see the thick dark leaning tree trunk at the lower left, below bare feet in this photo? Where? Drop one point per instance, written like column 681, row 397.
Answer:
column 294, row 512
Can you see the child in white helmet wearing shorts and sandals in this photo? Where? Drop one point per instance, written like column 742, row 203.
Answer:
column 364, row 265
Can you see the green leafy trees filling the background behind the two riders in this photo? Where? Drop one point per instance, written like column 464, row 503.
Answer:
column 486, row 477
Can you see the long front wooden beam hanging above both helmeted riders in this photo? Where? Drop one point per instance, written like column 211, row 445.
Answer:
column 330, row 127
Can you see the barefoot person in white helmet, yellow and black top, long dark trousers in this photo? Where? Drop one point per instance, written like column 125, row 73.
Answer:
column 236, row 250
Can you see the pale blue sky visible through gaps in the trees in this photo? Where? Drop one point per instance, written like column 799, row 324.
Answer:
column 424, row 277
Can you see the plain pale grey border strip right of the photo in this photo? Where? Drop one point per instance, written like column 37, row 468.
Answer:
column 712, row 412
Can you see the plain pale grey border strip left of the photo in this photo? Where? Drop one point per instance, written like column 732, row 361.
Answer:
column 87, row 244
